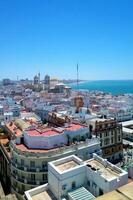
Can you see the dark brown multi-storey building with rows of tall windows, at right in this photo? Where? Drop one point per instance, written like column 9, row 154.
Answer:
column 110, row 133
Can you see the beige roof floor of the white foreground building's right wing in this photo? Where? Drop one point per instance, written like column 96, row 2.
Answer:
column 106, row 172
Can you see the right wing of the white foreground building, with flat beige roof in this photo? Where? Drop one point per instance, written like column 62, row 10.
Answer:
column 103, row 177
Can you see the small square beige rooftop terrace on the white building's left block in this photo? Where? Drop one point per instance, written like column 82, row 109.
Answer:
column 67, row 165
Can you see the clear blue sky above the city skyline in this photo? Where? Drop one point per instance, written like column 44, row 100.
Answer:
column 51, row 36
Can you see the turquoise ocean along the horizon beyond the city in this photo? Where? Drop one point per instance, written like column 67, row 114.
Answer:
column 114, row 87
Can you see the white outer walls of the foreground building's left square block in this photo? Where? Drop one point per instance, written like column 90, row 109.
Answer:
column 57, row 181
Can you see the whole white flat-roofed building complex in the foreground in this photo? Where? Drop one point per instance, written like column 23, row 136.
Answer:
column 71, row 178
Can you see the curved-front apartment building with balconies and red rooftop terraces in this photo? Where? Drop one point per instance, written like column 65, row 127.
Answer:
column 31, row 152
